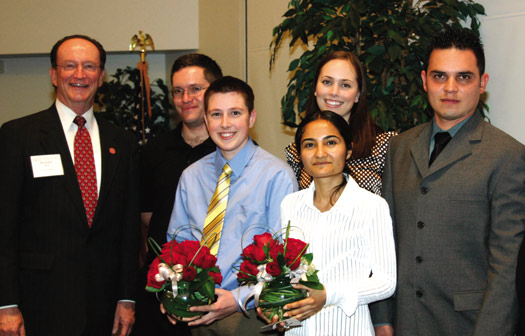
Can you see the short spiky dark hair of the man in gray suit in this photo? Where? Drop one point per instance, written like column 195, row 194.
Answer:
column 459, row 38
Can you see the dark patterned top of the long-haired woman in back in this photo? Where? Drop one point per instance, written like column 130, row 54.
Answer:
column 367, row 172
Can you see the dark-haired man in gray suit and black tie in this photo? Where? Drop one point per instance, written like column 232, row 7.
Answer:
column 459, row 213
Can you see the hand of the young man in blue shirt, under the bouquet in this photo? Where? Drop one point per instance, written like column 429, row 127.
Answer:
column 224, row 306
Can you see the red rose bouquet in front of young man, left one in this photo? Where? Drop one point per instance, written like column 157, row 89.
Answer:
column 184, row 275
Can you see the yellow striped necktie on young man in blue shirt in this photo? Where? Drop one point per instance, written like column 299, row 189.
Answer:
column 216, row 210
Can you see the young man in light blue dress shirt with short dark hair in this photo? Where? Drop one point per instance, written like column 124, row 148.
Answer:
column 258, row 184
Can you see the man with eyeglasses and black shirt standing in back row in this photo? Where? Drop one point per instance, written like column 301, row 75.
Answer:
column 163, row 160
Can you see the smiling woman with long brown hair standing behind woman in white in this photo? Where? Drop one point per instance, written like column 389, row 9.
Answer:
column 340, row 86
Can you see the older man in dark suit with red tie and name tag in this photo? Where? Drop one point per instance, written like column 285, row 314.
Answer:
column 69, row 220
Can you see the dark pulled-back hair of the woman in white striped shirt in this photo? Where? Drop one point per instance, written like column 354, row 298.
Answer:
column 342, row 127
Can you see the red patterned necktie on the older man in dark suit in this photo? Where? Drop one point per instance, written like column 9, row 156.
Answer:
column 85, row 168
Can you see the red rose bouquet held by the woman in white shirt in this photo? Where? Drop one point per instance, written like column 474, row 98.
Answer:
column 273, row 265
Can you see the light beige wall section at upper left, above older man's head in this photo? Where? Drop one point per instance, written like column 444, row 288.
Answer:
column 32, row 26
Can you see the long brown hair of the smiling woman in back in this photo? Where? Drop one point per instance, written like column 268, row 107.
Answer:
column 362, row 127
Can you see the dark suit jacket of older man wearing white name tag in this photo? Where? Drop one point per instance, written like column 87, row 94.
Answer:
column 65, row 277
